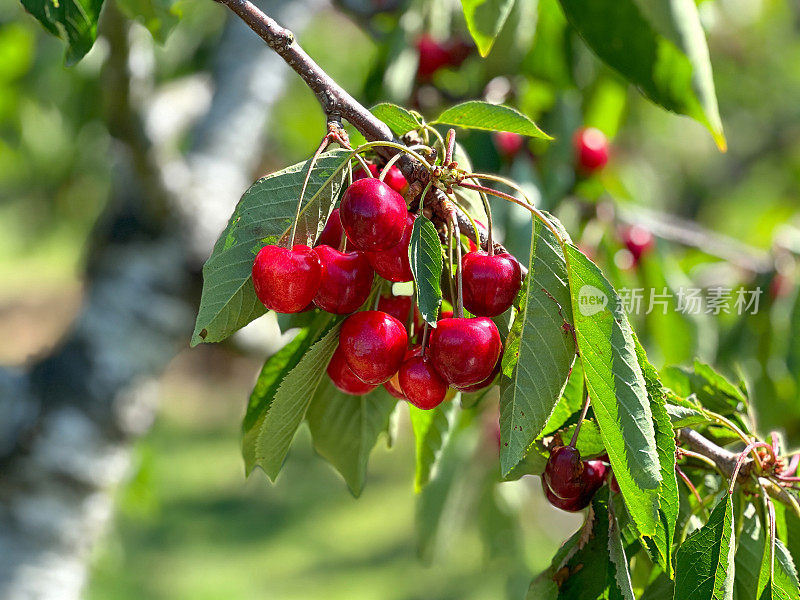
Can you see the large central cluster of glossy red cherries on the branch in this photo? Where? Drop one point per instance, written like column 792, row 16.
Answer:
column 374, row 224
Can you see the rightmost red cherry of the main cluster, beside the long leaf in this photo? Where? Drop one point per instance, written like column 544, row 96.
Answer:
column 490, row 282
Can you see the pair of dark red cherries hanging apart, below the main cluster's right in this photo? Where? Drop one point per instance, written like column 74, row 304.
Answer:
column 569, row 482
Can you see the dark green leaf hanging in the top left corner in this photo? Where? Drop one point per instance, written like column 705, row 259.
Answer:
column 74, row 21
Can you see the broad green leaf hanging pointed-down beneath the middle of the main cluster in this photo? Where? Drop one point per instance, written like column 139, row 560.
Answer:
column 345, row 429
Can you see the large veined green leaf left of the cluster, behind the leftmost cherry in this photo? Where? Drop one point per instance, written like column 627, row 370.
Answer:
column 263, row 216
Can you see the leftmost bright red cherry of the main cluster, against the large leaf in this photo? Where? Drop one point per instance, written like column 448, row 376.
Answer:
column 286, row 280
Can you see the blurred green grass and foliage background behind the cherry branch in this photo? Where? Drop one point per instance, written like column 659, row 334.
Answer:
column 189, row 525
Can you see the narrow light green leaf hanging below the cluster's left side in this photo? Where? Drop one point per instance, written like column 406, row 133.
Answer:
column 274, row 435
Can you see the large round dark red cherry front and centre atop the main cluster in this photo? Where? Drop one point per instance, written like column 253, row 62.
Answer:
column 373, row 215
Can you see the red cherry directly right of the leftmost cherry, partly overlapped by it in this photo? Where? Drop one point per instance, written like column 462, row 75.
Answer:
column 346, row 280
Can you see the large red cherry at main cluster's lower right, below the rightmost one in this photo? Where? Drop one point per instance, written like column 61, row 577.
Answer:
column 464, row 351
